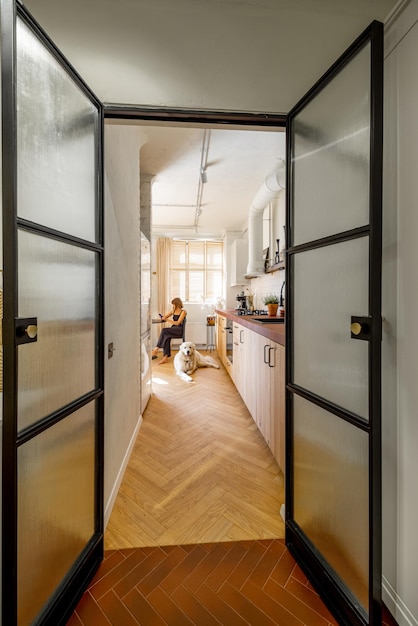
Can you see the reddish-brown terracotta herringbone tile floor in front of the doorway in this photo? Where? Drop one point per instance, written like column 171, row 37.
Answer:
column 232, row 584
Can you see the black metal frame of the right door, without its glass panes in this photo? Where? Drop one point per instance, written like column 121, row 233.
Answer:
column 338, row 598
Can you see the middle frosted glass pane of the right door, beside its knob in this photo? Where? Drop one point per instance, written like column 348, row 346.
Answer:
column 327, row 361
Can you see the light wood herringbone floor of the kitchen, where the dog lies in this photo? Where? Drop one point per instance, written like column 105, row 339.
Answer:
column 200, row 470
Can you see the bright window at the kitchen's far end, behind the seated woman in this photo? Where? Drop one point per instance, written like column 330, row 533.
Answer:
column 196, row 270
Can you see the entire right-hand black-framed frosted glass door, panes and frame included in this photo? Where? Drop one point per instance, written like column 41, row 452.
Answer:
column 333, row 498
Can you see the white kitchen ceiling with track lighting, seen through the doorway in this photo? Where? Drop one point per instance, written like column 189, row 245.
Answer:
column 233, row 164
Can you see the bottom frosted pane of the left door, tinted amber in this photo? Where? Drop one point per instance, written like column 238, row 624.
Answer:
column 55, row 513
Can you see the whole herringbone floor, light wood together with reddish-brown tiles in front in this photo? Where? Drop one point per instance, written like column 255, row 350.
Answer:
column 199, row 505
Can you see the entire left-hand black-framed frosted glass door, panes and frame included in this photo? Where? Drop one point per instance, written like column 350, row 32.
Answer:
column 53, row 419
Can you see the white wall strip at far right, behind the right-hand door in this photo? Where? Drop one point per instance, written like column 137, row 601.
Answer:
column 400, row 329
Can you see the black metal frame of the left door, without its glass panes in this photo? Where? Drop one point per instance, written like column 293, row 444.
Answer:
column 61, row 604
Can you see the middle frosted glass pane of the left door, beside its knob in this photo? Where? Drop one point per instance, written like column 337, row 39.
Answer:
column 57, row 285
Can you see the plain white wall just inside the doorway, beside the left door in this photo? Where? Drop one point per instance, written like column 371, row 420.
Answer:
column 122, row 244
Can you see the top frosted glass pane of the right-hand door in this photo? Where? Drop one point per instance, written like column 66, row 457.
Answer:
column 332, row 154
